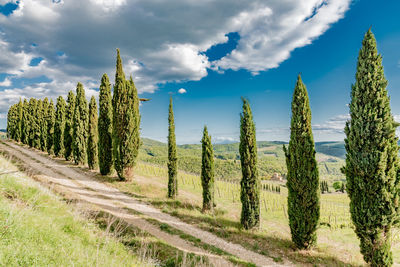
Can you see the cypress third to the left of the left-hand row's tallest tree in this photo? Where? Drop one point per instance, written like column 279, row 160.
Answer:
column 80, row 126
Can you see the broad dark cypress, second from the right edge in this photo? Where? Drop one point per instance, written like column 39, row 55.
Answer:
column 302, row 176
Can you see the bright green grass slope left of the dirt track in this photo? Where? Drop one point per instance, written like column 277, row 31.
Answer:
column 38, row 229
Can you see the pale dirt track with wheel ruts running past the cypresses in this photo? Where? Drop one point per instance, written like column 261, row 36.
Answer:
column 117, row 203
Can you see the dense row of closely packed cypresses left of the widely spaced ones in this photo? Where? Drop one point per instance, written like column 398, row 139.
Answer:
column 78, row 131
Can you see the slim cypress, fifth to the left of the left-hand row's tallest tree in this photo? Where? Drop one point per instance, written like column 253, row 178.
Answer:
column 59, row 127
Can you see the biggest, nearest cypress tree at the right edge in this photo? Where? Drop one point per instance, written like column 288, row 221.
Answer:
column 372, row 158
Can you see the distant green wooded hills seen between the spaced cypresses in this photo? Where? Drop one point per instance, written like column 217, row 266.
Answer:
column 227, row 161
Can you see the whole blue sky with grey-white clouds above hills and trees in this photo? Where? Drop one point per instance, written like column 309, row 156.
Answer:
column 206, row 53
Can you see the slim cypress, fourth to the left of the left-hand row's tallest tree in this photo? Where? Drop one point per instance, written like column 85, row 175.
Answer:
column 69, row 122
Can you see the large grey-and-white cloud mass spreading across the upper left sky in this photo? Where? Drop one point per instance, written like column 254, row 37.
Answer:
column 159, row 42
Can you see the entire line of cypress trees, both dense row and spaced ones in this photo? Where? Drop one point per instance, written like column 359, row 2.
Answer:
column 372, row 165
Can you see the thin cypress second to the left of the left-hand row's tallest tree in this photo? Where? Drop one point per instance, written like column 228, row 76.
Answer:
column 92, row 135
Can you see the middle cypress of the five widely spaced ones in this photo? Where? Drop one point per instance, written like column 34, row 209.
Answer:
column 250, row 183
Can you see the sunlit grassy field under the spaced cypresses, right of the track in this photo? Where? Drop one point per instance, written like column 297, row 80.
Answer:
column 337, row 242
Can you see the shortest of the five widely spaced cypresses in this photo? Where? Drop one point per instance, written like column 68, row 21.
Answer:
column 207, row 171
